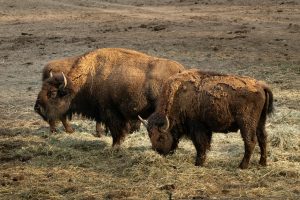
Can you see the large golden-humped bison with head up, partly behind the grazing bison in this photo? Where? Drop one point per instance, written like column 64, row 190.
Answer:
column 110, row 85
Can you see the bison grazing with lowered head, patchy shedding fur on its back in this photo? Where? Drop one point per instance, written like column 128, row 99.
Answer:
column 196, row 103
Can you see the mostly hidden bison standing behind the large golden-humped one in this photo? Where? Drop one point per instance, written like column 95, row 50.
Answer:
column 58, row 66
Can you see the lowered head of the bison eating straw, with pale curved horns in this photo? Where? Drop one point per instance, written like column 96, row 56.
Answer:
column 159, row 133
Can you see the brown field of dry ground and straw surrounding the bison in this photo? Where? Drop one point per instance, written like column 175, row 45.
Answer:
column 255, row 38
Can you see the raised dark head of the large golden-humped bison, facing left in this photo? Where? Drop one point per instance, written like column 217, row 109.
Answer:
column 55, row 97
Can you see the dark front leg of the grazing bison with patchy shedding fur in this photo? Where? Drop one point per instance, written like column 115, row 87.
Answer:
column 201, row 138
